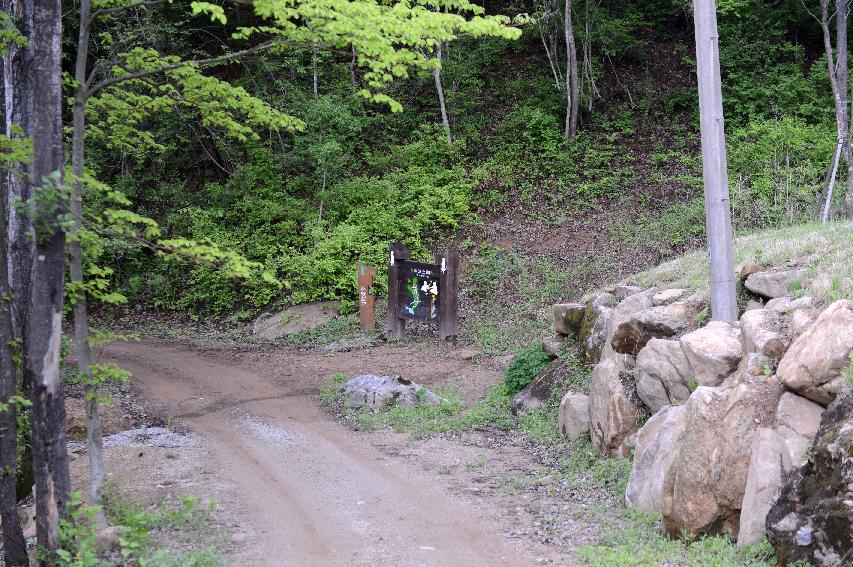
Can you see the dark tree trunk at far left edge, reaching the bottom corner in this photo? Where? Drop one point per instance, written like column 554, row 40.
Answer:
column 14, row 546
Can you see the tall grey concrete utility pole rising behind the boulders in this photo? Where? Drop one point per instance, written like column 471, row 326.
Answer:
column 718, row 219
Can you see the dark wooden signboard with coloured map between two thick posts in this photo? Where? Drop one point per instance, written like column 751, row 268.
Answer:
column 423, row 292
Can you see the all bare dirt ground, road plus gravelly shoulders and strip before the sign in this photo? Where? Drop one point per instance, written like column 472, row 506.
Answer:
column 296, row 487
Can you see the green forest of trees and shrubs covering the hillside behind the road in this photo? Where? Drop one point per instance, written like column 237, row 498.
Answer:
column 202, row 165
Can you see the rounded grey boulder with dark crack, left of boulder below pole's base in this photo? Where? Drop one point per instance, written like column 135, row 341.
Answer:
column 663, row 374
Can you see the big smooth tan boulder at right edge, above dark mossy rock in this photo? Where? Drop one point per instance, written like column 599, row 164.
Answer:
column 812, row 366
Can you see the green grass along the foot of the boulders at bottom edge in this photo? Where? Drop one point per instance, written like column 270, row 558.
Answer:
column 640, row 543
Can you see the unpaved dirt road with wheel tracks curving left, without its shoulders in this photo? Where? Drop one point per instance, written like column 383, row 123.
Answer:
column 318, row 494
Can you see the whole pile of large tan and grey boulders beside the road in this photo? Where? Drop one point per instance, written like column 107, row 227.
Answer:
column 736, row 408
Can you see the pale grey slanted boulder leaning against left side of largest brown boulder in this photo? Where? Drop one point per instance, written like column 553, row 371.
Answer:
column 656, row 447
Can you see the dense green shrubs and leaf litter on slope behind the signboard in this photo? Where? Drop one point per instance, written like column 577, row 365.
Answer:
column 307, row 206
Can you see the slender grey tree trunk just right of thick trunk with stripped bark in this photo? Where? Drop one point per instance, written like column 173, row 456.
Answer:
column 94, row 440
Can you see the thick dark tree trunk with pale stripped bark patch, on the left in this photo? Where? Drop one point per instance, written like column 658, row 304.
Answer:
column 44, row 318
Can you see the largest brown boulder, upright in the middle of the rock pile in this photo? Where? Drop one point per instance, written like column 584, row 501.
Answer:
column 703, row 489
